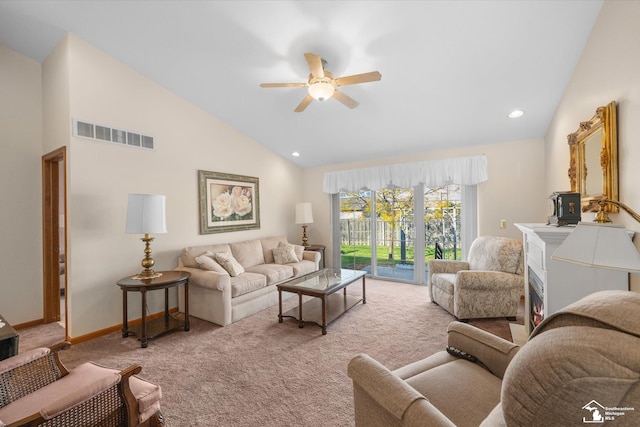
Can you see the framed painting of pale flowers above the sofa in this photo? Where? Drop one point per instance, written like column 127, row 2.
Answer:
column 228, row 202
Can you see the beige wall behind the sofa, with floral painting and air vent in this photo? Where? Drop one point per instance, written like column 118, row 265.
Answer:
column 104, row 91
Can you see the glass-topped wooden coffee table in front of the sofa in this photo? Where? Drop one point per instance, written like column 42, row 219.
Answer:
column 327, row 305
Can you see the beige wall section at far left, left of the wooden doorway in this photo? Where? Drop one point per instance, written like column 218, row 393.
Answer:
column 20, row 183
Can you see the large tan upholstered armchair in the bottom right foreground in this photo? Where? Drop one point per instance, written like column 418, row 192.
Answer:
column 580, row 364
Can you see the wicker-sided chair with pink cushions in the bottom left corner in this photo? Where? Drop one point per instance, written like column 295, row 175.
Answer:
column 37, row 390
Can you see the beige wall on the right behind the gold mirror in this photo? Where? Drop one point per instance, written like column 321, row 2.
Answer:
column 607, row 71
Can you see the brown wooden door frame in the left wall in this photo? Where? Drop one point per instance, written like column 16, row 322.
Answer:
column 54, row 166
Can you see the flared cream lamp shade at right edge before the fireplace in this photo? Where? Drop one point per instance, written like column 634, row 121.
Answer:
column 601, row 246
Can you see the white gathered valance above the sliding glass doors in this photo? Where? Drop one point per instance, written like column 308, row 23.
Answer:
column 432, row 173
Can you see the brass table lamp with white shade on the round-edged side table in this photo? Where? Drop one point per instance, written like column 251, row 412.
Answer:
column 146, row 215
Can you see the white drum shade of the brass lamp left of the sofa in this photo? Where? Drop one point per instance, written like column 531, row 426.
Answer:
column 146, row 214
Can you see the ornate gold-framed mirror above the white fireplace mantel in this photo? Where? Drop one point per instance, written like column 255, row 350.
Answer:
column 593, row 166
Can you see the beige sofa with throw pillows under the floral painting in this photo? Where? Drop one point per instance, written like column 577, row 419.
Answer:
column 224, row 297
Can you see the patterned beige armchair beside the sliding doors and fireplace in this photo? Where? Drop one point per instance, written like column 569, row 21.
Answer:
column 489, row 284
